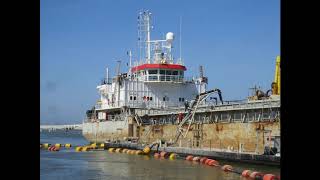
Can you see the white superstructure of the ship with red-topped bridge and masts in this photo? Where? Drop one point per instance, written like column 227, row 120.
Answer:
column 155, row 81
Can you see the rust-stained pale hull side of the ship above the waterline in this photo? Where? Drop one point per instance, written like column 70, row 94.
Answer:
column 235, row 137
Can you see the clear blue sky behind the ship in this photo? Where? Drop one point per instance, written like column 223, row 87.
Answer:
column 236, row 41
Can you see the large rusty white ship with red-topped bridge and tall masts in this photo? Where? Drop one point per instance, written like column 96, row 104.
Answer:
column 154, row 102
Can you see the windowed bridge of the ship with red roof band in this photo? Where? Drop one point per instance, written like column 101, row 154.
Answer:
column 159, row 72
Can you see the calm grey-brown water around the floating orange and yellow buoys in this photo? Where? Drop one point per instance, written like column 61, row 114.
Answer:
column 68, row 164
